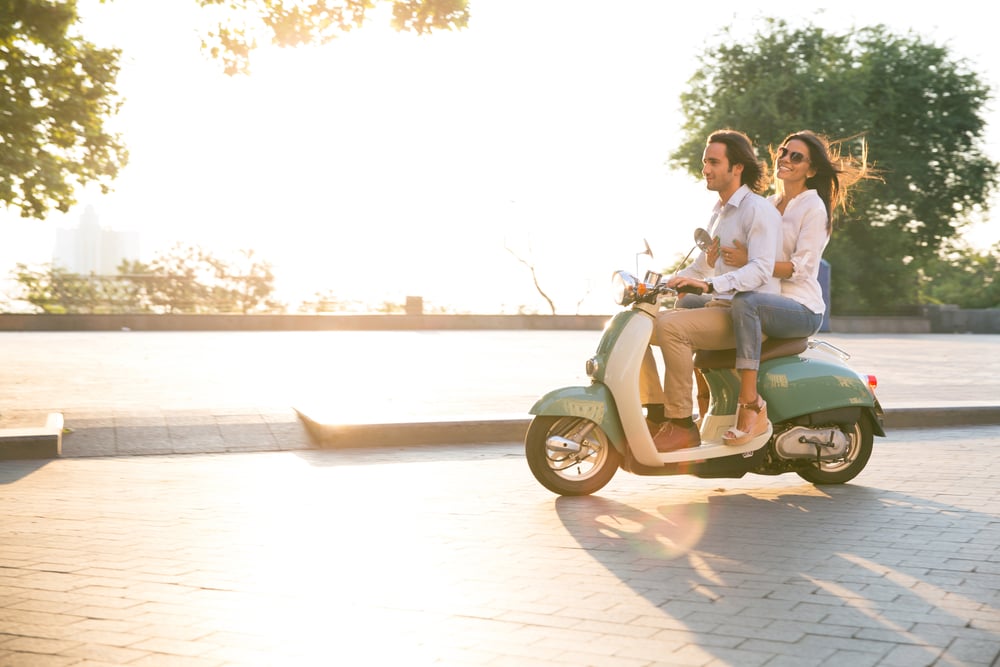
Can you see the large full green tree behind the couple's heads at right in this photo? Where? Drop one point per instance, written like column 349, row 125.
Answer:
column 919, row 110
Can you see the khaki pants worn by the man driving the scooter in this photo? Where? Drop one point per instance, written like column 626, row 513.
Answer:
column 678, row 333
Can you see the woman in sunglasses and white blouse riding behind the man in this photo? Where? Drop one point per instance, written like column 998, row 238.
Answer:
column 812, row 181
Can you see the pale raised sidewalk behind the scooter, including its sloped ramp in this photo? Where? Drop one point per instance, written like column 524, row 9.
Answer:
column 123, row 393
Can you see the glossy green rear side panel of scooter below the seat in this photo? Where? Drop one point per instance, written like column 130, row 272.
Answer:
column 796, row 386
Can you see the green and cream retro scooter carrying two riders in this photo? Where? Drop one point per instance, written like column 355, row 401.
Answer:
column 824, row 414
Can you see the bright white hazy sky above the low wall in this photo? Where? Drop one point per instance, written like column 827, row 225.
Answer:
column 387, row 165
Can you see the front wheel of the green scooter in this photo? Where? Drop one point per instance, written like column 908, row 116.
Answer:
column 570, row 456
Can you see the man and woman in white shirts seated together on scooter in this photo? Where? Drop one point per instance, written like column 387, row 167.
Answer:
column 766, row 284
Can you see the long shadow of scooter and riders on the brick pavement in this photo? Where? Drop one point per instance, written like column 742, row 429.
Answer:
column 849, row 569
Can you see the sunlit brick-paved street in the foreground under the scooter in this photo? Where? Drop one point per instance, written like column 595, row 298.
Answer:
column 456, row 556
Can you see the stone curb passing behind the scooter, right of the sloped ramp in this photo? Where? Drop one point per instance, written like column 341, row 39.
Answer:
column 507, row 430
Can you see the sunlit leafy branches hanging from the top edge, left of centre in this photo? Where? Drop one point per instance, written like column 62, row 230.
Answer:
column 245, row 23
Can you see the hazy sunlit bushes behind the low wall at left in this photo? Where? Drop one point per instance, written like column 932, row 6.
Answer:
column 184, row 280
